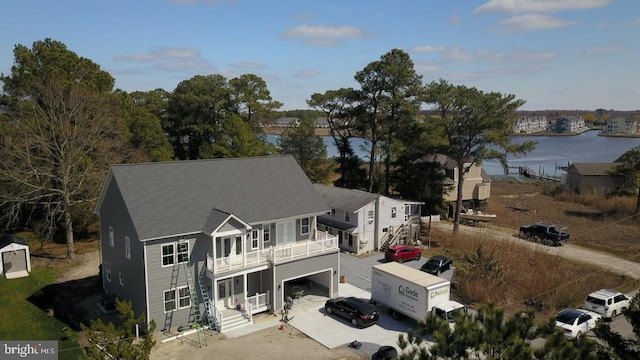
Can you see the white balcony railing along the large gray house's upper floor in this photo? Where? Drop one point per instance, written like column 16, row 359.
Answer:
column 300, row 249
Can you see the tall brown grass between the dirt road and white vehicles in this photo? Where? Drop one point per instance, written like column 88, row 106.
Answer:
column 507, row 273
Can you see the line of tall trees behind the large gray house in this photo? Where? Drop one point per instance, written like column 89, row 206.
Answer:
column 63, row 123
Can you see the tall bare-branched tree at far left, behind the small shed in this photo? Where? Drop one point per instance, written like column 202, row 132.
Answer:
column 59, row 134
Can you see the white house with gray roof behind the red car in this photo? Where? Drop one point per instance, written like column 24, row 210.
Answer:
column 363, row 221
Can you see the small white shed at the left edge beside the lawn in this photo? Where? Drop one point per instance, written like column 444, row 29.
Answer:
column 15, row 259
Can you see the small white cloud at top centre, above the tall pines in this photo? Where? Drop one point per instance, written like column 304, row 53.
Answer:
column 321, row 35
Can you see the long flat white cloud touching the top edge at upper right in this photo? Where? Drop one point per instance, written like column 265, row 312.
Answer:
column 538, row 6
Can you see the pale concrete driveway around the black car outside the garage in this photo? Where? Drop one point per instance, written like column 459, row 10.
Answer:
column 332, row 331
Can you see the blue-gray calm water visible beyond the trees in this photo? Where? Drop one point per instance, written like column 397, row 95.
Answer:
column 550, row 152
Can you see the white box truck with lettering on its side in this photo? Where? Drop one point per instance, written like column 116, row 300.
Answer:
column 410, row 292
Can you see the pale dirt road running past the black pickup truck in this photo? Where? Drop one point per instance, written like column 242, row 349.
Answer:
column 568, row 251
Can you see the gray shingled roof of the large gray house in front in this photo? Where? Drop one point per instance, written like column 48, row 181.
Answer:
column 182, row 197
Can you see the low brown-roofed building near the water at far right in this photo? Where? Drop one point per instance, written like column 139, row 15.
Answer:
column 592, row 177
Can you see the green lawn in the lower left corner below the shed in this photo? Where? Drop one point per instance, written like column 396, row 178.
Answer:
column 20, row 319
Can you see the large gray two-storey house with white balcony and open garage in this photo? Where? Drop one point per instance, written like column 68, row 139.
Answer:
column 213, row 240
